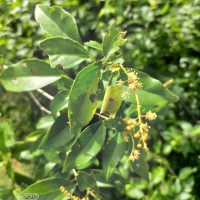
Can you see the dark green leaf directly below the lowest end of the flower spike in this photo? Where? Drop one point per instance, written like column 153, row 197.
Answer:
column 141, row 167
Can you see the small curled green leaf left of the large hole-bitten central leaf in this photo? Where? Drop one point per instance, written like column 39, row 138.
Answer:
column 59, row 102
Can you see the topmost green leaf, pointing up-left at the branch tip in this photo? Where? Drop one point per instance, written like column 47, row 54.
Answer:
column 57, row 22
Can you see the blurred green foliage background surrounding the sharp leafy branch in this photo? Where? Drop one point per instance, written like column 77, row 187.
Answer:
column 163, row 40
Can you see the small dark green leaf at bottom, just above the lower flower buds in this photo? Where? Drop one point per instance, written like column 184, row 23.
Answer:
column 86, row 181
